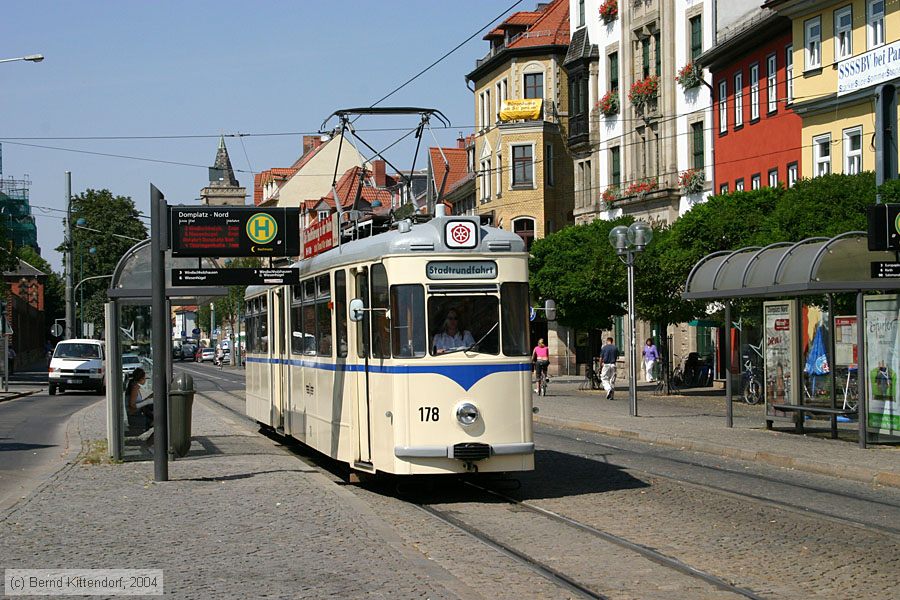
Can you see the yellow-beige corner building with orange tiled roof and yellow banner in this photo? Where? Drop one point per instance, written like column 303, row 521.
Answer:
column 523, row 173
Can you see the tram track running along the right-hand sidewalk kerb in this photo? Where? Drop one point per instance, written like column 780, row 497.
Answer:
column 742, row 495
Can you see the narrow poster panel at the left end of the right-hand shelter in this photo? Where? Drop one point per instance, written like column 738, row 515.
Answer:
column 778, row 318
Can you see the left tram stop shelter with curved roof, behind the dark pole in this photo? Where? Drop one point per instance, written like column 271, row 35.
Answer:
column 130, row 290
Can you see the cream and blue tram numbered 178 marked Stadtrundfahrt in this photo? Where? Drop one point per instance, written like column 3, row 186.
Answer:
column 345, row 362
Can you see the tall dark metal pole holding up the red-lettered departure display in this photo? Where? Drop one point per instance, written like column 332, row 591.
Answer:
column 158, row 338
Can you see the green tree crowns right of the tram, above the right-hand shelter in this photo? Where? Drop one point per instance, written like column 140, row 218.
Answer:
column 577, row 267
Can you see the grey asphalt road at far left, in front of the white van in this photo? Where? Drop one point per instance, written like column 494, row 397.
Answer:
column 33, row 440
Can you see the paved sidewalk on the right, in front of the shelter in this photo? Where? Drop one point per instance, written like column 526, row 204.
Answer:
column 696, row 421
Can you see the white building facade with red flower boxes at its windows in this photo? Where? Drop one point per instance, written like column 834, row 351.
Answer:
column 640, row 108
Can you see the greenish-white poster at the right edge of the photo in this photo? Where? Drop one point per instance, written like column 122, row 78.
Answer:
column 882, row 364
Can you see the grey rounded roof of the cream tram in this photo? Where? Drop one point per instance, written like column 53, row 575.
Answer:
column 421, row 238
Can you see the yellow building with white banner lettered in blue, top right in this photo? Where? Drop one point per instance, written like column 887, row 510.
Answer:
column 846, row 44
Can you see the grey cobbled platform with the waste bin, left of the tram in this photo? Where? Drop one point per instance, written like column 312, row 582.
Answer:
column 239, row 518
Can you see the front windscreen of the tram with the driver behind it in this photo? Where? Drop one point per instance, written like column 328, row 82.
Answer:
column 464, row 322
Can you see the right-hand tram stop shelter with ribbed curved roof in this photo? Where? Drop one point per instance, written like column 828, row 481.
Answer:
column 814, row 266
